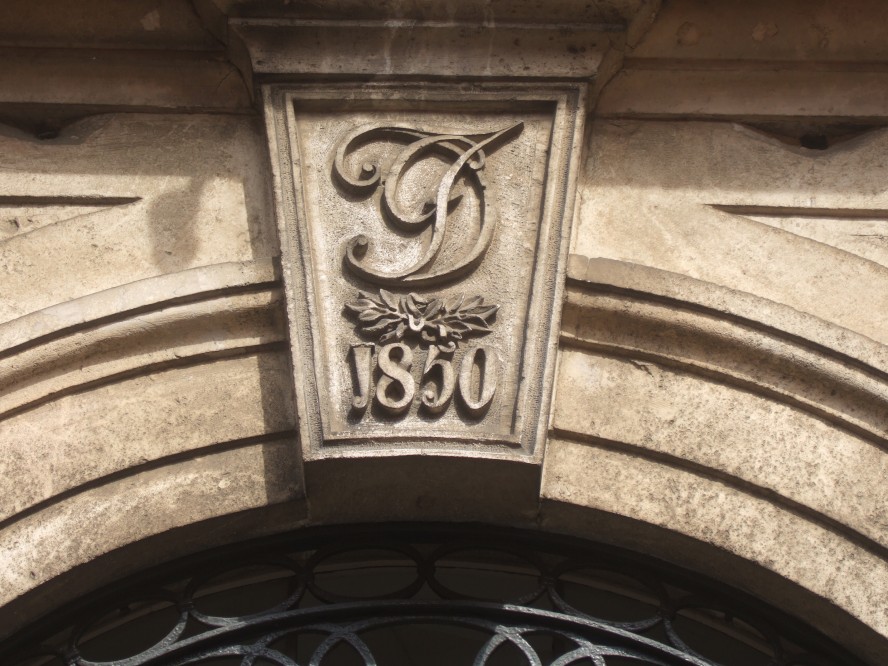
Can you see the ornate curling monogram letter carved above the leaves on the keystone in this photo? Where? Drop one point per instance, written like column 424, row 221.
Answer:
column 467, row 153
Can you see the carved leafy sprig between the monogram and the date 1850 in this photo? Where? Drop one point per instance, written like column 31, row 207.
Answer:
column 436, row 321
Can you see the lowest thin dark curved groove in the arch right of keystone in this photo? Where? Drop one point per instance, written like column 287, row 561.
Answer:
column 743, row 485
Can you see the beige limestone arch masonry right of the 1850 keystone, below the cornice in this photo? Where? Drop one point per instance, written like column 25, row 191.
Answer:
column 723, row 367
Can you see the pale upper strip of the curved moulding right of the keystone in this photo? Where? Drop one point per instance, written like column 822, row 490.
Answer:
column 686, row 293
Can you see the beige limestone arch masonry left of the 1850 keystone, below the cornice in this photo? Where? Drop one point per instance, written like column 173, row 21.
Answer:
column 144, row 383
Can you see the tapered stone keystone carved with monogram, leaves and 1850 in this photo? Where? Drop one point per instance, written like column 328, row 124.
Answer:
column 423, row 233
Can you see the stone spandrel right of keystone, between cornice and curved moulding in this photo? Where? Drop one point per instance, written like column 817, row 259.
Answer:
column 637, row 206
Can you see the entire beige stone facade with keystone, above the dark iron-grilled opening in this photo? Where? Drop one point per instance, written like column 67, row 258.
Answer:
column 679, row 210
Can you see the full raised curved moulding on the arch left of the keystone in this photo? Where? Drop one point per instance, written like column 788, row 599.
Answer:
column 203, row 313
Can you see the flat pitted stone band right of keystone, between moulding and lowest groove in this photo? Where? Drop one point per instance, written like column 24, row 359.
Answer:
column 744, row 439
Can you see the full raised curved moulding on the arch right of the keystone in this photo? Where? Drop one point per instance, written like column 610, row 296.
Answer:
column 626, row 310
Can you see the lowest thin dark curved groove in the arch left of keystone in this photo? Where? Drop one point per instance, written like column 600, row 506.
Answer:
column 172, row 459
